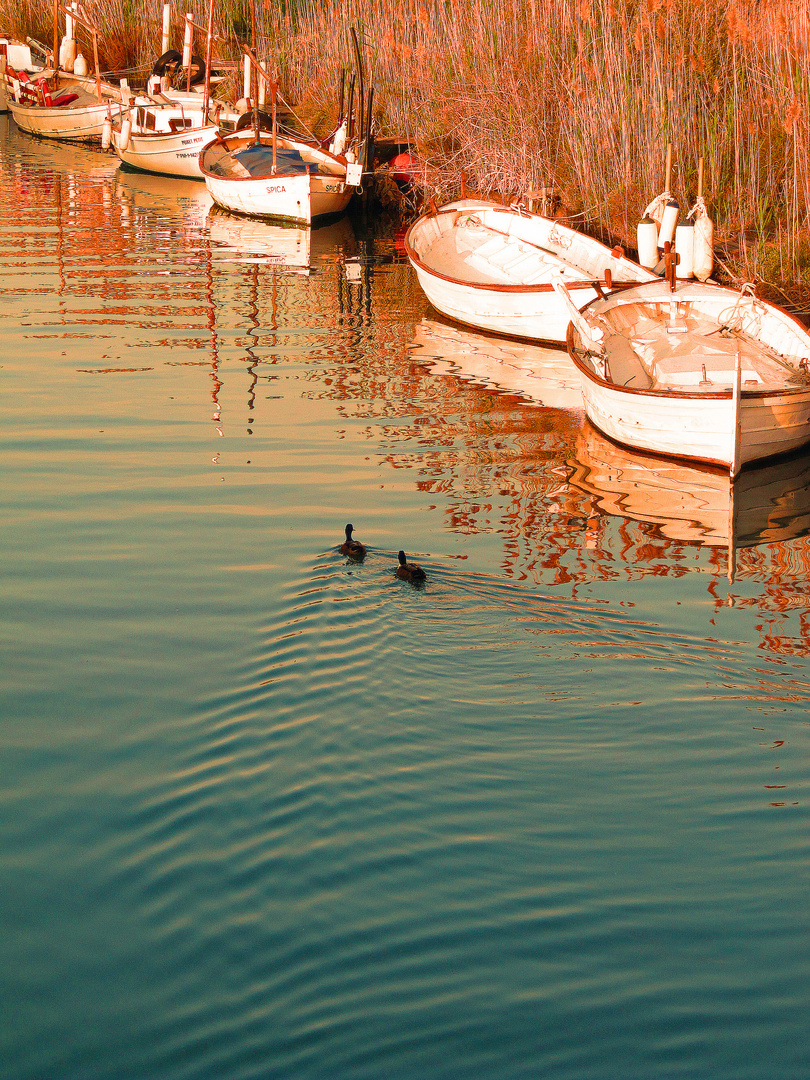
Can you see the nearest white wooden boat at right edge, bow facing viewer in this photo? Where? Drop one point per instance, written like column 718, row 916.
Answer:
column 694, row 371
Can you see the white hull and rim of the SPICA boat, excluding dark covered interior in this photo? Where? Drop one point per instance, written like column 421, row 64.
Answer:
column 299, row 198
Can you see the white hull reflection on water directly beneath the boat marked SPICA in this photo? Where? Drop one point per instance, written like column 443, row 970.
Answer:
column 296, row 248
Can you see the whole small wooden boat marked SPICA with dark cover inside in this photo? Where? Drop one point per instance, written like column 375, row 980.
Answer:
column 281, row 179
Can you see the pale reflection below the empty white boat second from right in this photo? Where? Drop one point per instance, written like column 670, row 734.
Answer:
column 542, row 375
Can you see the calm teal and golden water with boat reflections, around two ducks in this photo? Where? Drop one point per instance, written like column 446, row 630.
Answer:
column 269, row 815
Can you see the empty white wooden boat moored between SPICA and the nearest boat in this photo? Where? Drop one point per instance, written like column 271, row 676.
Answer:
column 493, row 268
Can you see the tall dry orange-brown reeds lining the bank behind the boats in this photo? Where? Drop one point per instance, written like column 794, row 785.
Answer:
column 579, row 94
